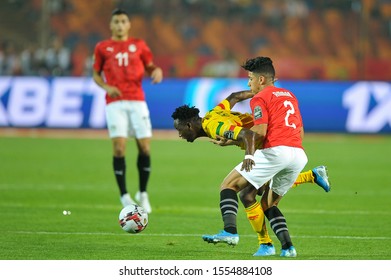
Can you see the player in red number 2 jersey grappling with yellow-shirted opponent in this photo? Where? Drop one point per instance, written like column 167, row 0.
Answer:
column 278, row 157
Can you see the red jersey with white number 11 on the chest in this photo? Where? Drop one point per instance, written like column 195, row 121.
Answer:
column 123, row 64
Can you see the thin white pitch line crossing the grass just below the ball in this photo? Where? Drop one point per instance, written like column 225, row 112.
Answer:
column 191, row 235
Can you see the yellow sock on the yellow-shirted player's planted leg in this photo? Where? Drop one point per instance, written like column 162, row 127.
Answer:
column 256, row 217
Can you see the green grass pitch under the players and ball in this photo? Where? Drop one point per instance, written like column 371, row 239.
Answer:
column 39, row 178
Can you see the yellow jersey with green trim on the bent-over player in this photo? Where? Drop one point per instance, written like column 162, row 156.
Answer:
column 225, row 123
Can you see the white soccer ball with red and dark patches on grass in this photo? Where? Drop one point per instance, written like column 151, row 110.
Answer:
column 133, row 218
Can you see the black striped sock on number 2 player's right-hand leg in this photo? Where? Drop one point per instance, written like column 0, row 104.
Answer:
column 279, row 226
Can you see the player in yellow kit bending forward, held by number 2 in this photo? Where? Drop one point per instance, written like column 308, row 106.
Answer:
column 222, row 123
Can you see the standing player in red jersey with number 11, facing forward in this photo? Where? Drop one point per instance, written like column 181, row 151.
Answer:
column 119, row 67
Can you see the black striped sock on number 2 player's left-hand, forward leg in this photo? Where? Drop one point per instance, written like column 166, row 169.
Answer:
column 229, row 209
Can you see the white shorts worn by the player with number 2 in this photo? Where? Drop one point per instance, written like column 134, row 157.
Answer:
column 281, row 165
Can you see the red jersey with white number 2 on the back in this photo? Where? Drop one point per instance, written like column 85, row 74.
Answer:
column 279, row 109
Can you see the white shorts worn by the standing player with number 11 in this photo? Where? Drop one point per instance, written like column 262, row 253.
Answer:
column 128, row 119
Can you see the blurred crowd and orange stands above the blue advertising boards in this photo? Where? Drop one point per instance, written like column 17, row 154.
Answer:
column 334, row 39
